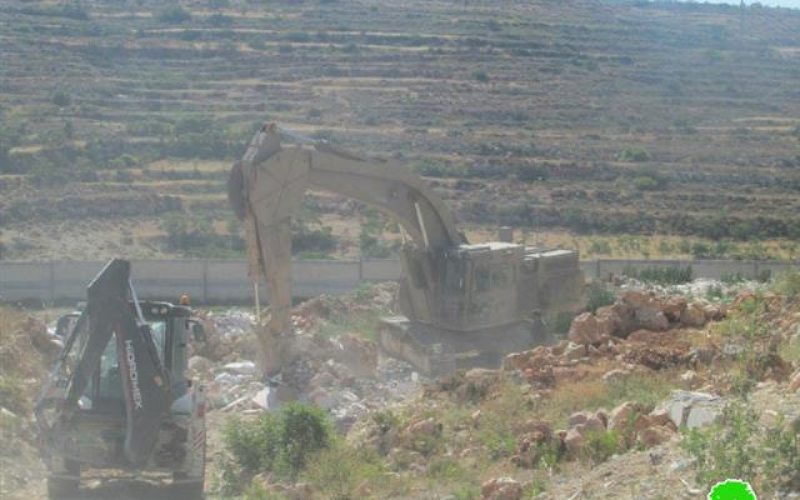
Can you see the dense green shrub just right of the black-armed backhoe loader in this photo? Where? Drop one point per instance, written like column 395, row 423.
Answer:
column 281, row 442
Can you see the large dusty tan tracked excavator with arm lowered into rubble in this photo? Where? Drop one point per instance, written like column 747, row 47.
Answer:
column 462, row 304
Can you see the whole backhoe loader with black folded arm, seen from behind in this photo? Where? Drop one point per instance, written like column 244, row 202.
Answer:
column 117, row 397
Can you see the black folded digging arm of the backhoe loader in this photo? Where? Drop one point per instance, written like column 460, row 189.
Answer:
column 109, row 317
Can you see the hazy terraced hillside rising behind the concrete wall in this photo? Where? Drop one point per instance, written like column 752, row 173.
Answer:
column 119, row 119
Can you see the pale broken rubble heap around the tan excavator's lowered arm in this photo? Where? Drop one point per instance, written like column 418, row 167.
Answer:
column 343, row 374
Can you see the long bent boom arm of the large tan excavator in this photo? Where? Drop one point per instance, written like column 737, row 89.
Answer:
column 267, row 186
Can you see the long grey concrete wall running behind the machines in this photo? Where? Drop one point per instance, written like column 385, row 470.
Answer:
column 226, row 281
